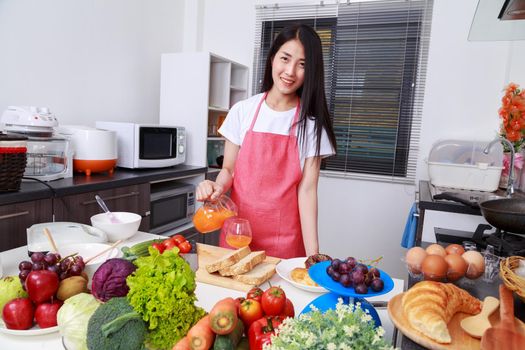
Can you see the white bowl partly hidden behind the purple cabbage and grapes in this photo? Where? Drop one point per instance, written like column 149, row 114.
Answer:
column 88, row 250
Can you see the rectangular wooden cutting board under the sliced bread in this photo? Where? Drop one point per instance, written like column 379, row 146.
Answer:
column 207, row 254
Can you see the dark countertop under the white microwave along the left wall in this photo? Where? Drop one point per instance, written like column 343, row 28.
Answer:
column 79, row 183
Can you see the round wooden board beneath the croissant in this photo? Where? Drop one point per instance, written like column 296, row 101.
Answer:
column 460, row 339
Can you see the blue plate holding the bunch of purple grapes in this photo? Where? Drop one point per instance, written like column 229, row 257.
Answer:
column 318, row 273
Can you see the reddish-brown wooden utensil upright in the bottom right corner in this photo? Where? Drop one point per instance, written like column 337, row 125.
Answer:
column 505, row 335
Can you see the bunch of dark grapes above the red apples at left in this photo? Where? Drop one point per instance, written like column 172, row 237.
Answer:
column 64, row 268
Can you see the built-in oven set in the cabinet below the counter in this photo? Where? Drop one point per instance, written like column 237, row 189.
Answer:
column 172, row 204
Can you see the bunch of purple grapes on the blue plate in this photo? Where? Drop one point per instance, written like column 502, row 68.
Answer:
column 351, row 273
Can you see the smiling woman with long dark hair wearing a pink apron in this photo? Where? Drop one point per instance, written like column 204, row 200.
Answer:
column 274, row 145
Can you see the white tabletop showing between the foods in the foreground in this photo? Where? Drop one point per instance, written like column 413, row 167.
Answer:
column 207, row 296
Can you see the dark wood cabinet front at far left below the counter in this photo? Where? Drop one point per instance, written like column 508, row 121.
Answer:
column 16, row 218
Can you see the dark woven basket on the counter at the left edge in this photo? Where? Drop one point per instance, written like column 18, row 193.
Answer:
column 13, row 157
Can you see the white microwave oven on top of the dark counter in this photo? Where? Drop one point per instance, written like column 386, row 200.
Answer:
column 147, row 145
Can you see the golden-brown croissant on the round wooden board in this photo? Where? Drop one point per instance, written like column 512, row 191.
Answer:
column 429, row 306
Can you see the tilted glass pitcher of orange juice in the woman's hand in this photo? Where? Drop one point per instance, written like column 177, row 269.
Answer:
column 212, row 214
